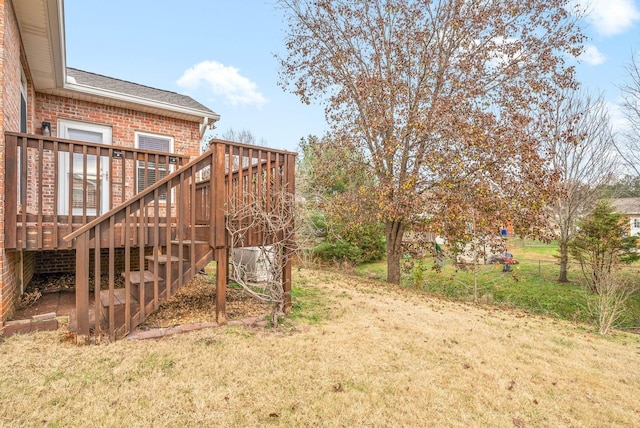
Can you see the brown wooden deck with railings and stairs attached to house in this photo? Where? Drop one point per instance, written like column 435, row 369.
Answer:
column 176, row 225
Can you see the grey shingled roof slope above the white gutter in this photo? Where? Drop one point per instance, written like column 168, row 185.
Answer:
column 111, row 84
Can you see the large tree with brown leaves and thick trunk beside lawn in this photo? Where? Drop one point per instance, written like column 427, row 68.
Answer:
column 439, row 97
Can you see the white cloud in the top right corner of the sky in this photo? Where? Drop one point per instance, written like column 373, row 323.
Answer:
column 611, row 17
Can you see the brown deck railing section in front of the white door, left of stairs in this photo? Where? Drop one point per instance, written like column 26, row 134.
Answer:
column 54, row 186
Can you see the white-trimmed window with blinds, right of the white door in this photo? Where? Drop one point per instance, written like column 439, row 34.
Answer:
column 145, row 177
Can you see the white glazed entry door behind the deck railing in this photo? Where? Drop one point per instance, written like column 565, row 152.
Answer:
column 90, row 133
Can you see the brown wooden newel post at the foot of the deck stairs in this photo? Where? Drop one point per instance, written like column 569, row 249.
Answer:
column 82, row 288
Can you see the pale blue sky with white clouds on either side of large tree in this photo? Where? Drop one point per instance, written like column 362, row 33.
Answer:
column 221, row 52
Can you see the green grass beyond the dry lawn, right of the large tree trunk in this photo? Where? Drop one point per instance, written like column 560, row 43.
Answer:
column 531, row 285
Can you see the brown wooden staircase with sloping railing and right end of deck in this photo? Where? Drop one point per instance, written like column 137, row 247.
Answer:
column 200, row 191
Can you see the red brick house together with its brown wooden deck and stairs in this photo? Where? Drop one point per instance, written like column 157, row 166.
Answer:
column 89, row 166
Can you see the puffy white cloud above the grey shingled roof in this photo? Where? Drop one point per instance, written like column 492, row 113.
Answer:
column 224, row 81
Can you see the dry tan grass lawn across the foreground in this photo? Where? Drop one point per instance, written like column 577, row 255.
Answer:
column 368, row 355
